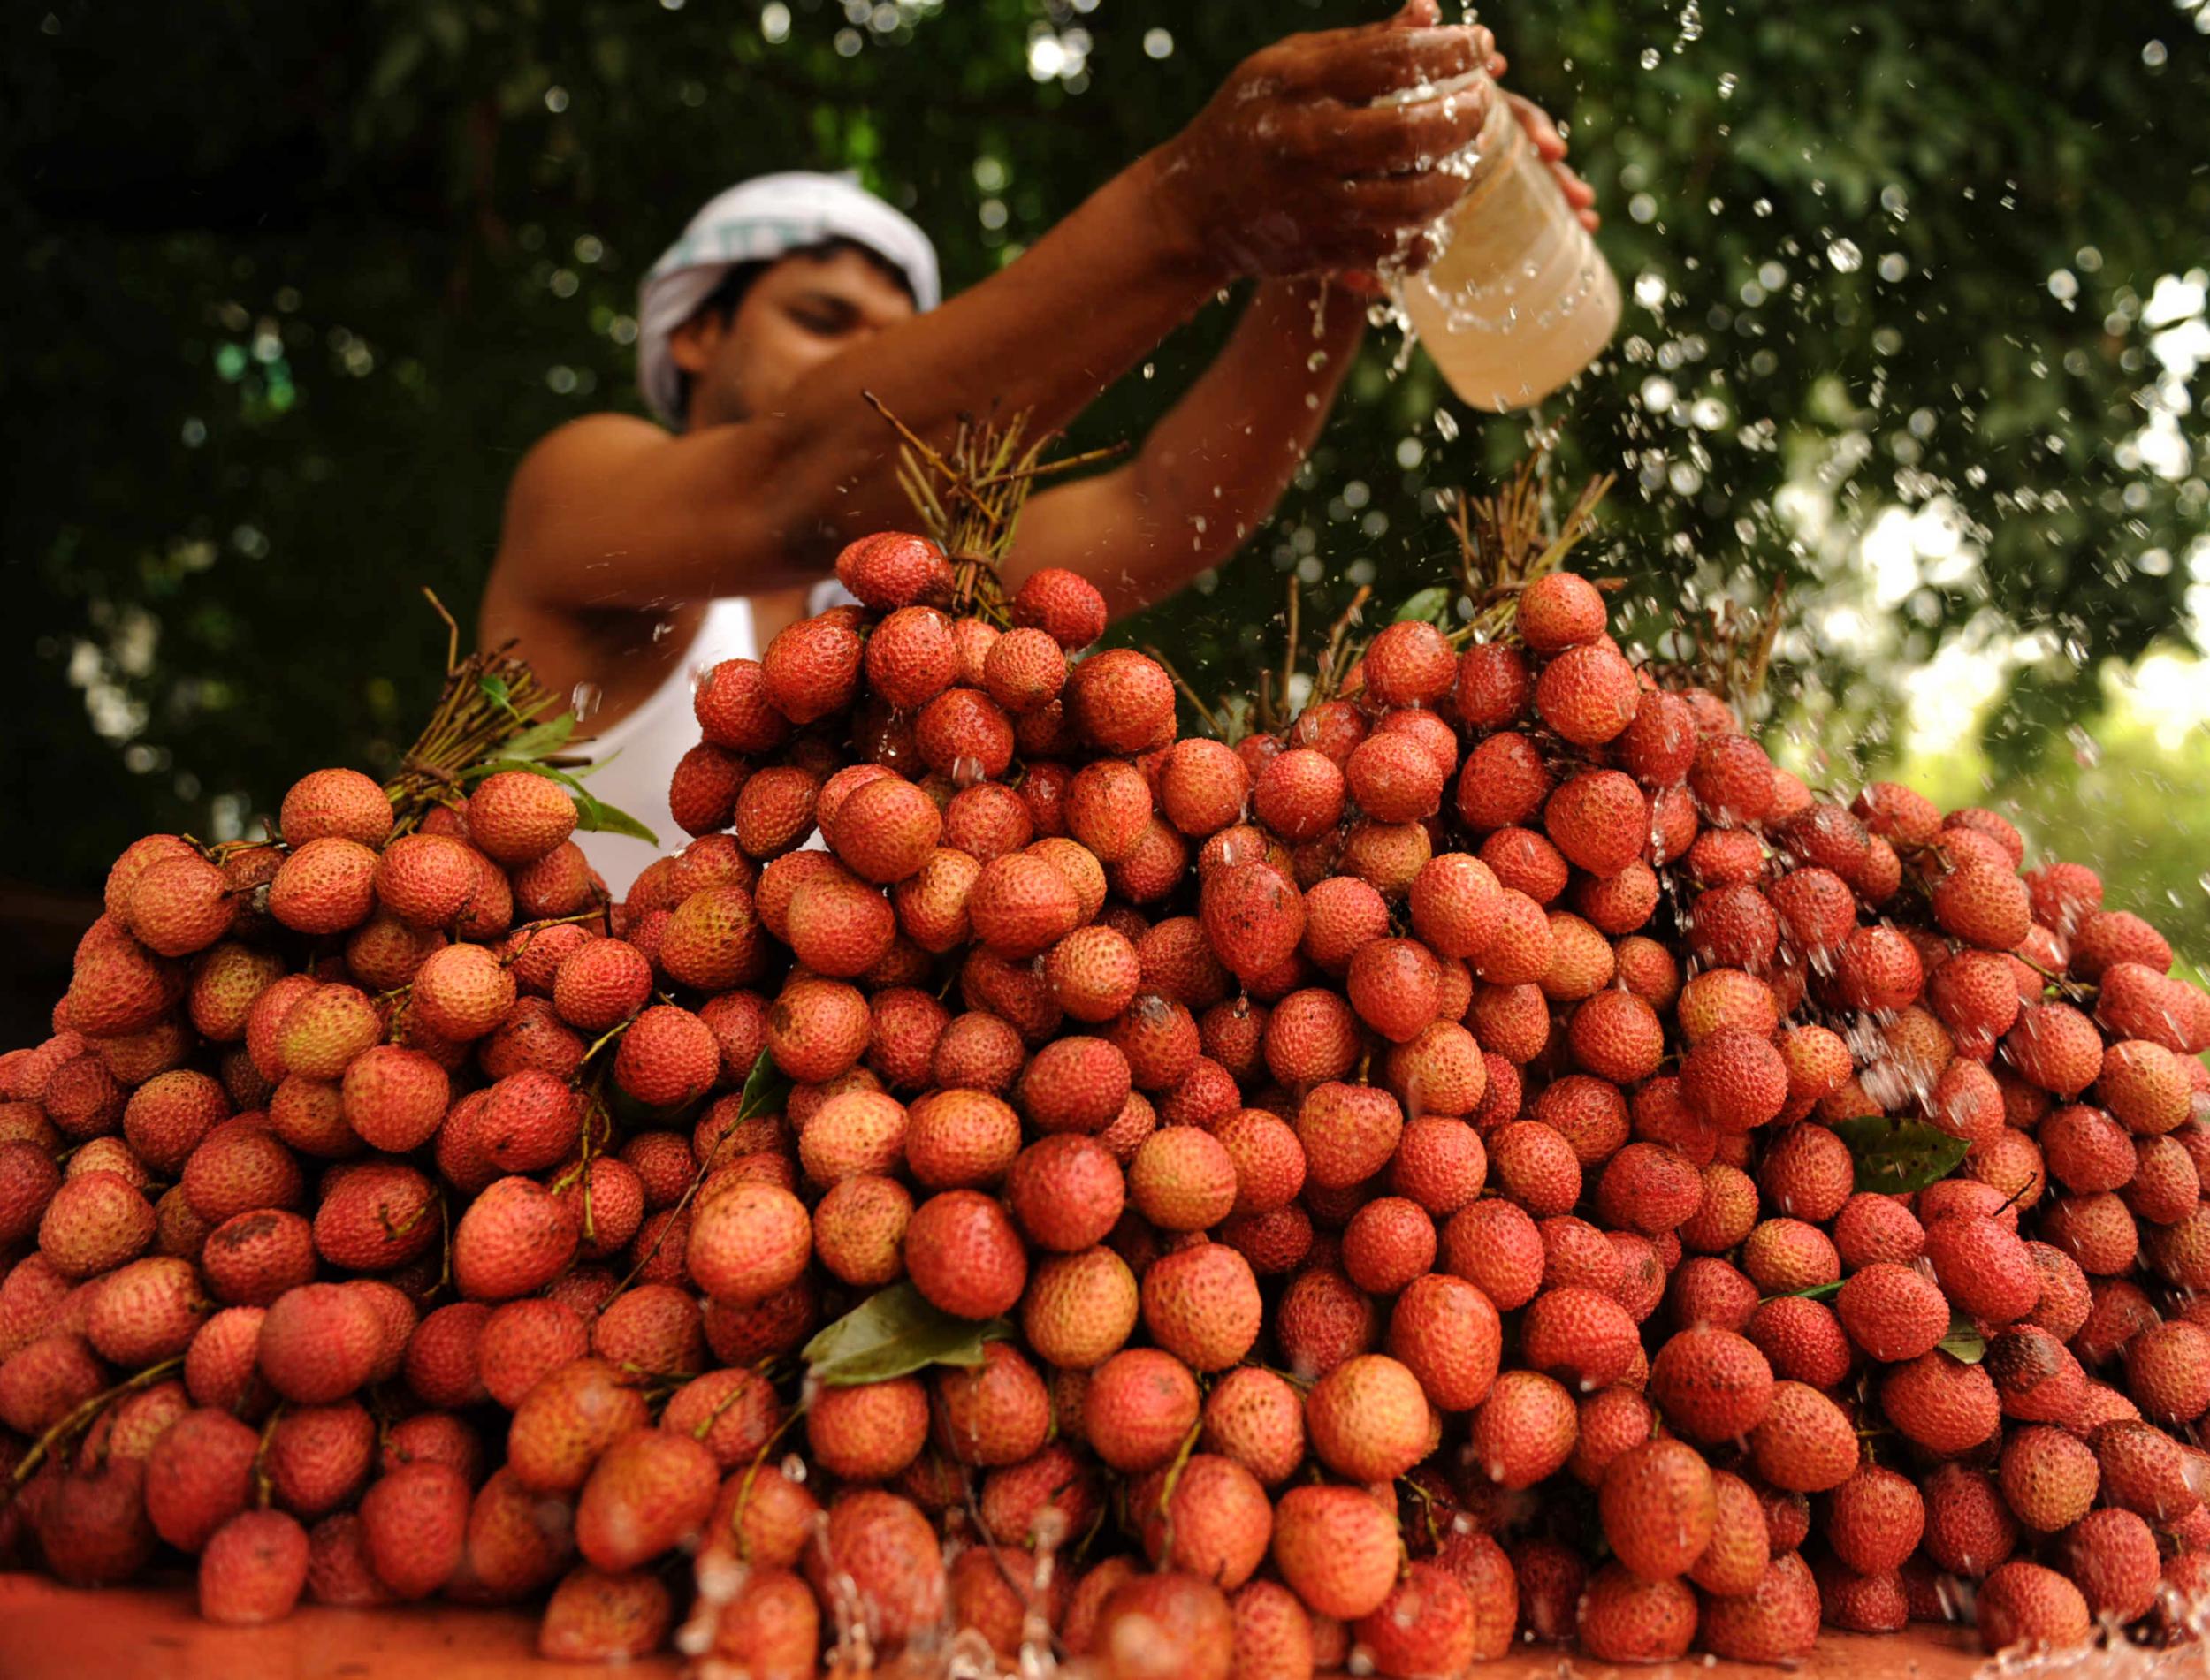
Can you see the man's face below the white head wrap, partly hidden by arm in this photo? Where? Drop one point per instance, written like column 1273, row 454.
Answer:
column 790, row 322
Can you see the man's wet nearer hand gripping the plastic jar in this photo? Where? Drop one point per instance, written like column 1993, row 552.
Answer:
column 1294, row 169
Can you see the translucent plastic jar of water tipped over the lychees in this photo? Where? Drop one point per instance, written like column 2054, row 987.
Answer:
column 1517, row 302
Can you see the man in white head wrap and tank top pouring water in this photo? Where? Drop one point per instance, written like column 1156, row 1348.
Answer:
column 635, row 556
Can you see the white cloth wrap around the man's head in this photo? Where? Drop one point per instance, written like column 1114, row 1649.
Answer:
column 757, row 222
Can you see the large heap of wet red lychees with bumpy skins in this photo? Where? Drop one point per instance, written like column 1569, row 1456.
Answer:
column 1499, row 1162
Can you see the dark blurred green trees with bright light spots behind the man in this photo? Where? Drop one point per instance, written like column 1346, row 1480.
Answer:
column 1917, row 293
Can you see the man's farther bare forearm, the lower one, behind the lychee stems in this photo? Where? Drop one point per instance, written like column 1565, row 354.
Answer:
column 1214, row 465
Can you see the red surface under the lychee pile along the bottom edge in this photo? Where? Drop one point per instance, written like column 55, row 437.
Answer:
column 52, row 1632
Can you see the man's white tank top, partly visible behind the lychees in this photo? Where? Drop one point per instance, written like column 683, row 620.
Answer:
column 638, row 755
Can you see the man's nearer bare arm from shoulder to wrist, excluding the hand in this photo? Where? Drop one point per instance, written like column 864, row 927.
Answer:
column 615, row 514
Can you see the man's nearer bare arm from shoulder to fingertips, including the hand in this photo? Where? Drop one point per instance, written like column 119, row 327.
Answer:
column 1287, row 171
